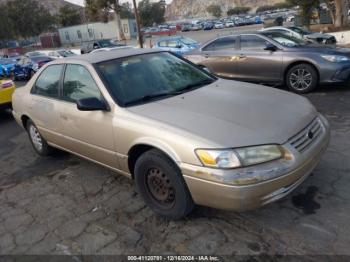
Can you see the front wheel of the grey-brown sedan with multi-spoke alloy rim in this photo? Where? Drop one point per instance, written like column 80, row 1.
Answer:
column 302, row 78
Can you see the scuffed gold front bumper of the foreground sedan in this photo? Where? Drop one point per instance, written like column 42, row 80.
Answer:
column 260, row 184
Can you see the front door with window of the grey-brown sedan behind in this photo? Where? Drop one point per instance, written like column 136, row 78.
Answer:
column 257, row 64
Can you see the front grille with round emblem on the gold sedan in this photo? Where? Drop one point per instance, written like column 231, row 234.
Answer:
column 307, row 137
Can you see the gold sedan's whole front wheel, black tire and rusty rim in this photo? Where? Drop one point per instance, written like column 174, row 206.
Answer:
column 159, row 181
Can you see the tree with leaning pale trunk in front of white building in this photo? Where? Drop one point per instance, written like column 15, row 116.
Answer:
column 106, row 6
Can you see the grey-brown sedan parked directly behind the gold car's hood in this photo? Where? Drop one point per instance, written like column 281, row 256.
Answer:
column 274, row 58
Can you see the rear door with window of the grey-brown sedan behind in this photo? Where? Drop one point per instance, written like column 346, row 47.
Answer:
column 221, row 56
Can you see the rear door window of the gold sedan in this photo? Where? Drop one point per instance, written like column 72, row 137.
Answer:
column 47, row 83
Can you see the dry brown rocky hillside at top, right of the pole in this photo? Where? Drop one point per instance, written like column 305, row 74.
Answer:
column 179, row 9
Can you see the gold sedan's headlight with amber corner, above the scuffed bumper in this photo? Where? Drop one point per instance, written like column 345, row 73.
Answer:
column 239, row 157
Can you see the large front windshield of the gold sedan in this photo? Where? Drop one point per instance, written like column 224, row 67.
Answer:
column 143, row 78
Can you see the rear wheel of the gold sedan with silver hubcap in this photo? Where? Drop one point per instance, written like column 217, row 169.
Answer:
column 38, row 142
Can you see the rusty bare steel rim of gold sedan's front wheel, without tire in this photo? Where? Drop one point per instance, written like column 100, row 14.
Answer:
column 159, row 187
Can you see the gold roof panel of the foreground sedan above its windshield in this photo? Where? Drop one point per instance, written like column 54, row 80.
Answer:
column 110, row 55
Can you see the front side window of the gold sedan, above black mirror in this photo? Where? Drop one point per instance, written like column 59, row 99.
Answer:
column 78, row 84
